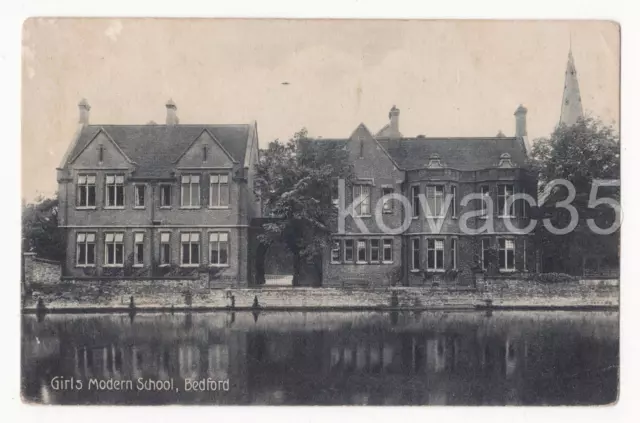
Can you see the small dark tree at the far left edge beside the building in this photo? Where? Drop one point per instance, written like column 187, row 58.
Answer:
column 40, row 231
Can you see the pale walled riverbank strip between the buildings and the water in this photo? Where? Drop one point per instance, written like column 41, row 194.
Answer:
column 513, row 295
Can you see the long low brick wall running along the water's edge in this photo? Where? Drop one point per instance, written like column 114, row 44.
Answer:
column 173, row 293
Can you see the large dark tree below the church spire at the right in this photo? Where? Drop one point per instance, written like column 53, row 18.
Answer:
column 580, row 154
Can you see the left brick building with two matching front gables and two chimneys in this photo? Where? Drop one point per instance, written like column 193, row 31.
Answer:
column 158, row 200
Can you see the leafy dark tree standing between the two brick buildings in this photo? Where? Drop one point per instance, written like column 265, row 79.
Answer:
column 295, row 181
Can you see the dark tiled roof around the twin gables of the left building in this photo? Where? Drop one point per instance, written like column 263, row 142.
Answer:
column 155, row 148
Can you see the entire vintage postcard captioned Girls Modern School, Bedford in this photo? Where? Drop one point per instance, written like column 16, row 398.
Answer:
column 320, row 212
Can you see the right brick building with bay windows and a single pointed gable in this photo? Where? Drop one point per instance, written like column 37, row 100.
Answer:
column 418, row 255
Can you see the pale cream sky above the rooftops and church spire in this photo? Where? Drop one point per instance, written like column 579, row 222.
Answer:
column 448, row 78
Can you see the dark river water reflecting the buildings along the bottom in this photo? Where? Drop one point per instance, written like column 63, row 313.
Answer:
column 328, row 358
